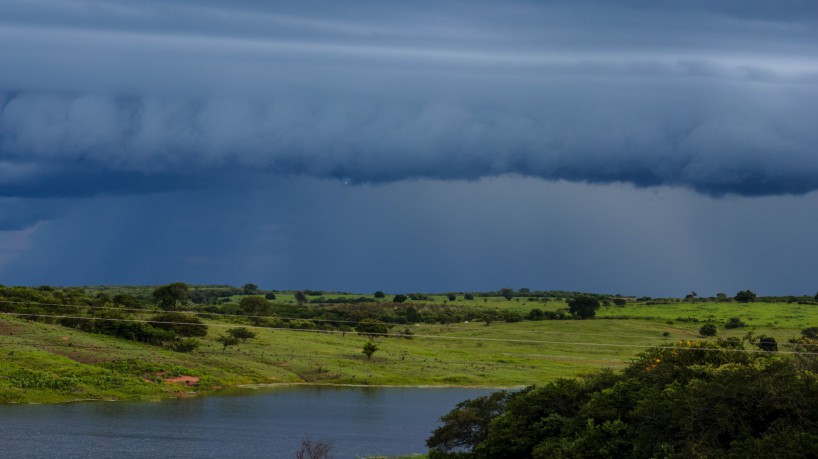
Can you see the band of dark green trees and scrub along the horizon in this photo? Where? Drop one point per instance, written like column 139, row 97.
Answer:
column 140, row 313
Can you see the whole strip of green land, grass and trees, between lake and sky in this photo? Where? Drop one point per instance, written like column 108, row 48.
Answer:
column 152, row 343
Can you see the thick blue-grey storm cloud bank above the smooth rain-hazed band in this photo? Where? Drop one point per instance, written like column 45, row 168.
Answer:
column 107, row 97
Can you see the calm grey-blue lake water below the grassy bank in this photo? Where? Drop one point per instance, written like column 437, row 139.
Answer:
column 252, row 423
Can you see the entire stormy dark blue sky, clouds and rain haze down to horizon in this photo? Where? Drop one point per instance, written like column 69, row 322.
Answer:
column 635, row 147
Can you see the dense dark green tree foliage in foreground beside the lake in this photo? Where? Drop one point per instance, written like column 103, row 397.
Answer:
column 699, row 400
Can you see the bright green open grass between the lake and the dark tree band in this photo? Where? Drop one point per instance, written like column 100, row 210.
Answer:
column 51, row 363
